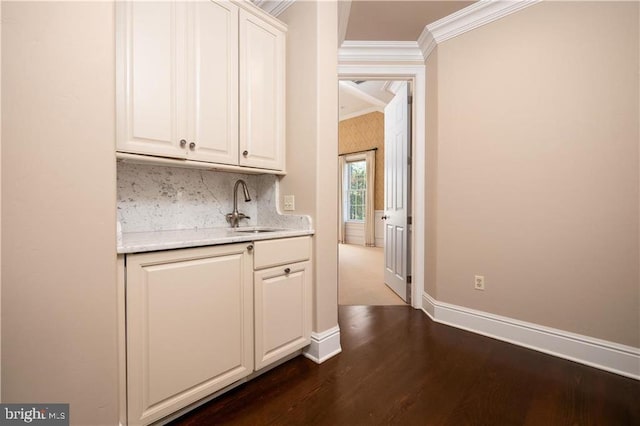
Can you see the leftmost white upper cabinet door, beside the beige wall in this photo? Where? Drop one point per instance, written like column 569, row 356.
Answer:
column 150, row 96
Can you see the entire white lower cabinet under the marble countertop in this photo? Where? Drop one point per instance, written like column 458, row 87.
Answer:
column 199, row 319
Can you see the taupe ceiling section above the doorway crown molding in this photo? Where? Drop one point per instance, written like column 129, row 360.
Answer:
column 396, row 20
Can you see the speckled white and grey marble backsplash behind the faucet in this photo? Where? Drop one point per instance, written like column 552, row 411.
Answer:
column 156, row 198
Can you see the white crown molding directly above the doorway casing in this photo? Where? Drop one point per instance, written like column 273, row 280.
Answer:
column 394, row 51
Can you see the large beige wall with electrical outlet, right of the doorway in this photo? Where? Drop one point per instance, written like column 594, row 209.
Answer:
column 538, row 189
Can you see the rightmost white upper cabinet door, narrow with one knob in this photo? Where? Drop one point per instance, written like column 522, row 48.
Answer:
column 262, row 76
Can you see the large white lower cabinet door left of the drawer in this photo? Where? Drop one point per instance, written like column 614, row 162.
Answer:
column 189, row 327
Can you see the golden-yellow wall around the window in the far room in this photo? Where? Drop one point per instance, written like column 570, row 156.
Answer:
column 363, row 133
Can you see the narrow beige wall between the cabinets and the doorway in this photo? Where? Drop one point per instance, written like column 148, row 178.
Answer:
column 312, row 140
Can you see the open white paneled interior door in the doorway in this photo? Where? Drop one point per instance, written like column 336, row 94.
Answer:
column 397, row 173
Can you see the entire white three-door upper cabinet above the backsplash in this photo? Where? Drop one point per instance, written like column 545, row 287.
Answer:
column 201, row 81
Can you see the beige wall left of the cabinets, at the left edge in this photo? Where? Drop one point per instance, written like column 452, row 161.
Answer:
column 58, row 207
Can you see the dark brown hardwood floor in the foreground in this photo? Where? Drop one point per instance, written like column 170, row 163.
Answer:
column 397, row 367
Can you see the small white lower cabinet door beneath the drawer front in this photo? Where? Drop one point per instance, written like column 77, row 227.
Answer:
column 282, row 311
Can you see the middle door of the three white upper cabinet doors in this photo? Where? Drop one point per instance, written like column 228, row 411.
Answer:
column 213, row 83
